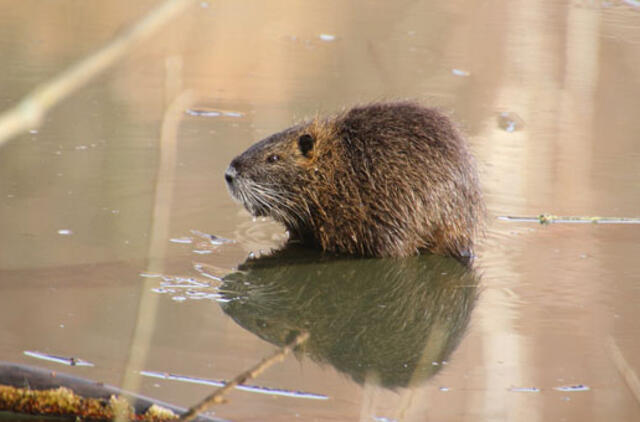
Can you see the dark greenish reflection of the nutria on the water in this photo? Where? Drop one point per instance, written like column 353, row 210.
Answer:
column 390, row 321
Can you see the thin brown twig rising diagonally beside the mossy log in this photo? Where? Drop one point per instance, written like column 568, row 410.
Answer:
column 218, row 396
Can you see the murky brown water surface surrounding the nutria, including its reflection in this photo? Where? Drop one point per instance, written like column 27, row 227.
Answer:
column 99, row 200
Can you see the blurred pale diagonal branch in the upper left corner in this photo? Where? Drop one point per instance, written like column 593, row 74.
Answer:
column 29, row 112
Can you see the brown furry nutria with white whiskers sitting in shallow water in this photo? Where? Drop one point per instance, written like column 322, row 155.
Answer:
column 384, row 179
